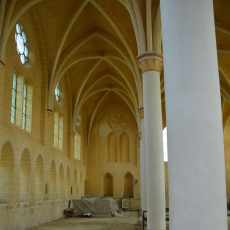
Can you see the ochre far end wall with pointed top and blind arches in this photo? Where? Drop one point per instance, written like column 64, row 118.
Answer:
column 119, row 123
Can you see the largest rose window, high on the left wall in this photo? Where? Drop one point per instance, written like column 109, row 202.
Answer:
column 22, row 44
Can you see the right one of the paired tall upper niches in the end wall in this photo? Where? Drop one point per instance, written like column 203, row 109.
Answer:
column 124, row 148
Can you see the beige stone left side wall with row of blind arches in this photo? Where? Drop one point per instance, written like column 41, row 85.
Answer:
column 35, row 177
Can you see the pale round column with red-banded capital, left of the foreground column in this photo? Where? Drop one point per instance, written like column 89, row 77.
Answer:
column 151, row 64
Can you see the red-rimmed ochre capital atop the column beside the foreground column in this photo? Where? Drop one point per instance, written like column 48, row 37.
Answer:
column 150, row 61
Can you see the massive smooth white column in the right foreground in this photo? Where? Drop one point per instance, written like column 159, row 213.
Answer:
column 197, row 190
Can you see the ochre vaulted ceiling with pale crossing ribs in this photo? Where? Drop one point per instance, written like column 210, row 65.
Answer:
column 94, row 43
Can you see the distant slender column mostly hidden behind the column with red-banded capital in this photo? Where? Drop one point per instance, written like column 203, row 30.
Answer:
column 142, row 163
